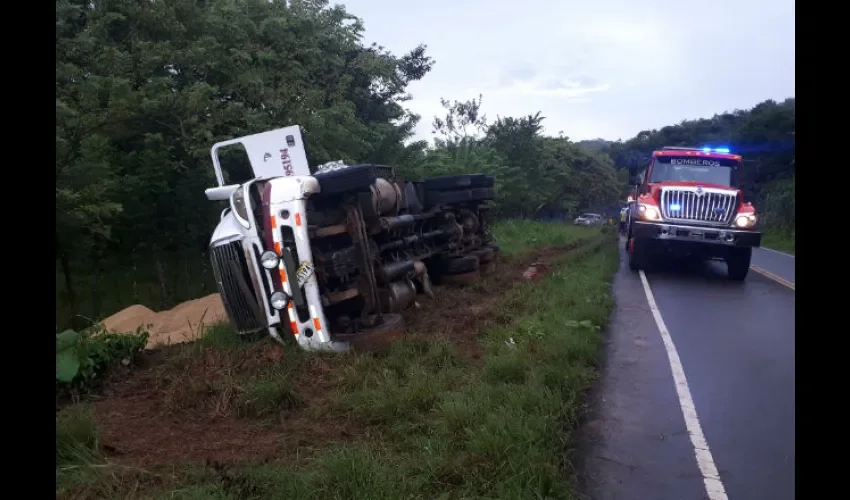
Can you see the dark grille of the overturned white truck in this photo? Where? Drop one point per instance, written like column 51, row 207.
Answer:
column 241, row 308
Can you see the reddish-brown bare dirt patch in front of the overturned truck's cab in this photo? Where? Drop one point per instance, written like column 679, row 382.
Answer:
column 178, row 407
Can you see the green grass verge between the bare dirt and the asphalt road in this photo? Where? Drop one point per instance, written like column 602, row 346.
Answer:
column 438, row 426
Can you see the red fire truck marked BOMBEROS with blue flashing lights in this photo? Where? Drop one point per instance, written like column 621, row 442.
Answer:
column 688, row 203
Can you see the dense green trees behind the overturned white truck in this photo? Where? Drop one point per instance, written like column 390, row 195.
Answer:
column 143, row 89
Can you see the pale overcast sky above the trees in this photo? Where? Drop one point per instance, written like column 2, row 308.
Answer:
column 594, row 68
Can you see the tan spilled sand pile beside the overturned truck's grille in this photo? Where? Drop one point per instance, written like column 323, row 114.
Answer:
column 183, row 323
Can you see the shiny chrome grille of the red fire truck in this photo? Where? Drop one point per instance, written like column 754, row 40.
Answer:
column 688, row 205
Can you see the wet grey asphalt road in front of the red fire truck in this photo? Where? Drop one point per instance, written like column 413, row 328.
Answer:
column 735, row 345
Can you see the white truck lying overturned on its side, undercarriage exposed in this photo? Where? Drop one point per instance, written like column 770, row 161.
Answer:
column 331, row 258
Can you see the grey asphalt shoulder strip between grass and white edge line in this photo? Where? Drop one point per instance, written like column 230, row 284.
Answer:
column 634, row 443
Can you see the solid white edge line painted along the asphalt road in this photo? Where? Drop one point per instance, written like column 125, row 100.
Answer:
column 710, row 477
